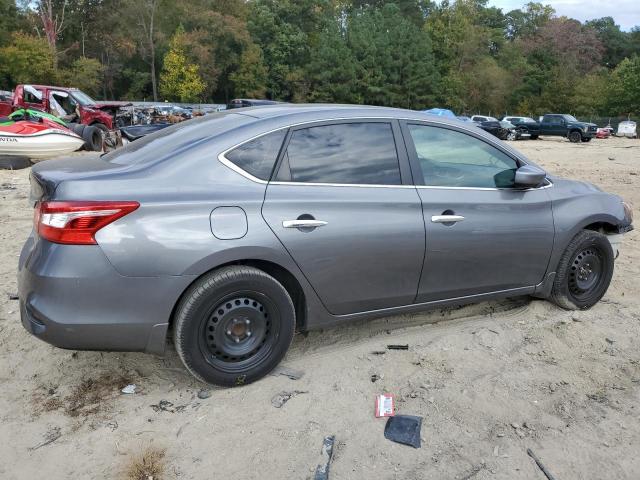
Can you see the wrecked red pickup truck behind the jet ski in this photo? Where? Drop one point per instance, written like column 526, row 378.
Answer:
column 69, row 104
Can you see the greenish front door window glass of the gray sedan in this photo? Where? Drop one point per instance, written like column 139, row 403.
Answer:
column 449, row 158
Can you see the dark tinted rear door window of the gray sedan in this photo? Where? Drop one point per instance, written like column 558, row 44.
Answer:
column 347, row 153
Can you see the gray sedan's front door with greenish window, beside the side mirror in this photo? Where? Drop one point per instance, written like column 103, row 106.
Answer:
column 483, row 234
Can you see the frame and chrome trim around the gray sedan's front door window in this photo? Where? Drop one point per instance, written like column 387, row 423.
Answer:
column 416, row 169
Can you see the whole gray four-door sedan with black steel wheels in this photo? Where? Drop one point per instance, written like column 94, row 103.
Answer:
column 237, row 229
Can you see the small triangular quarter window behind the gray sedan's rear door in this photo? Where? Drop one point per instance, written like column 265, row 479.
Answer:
column 257, row 157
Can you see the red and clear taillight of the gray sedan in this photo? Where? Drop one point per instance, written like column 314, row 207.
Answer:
column 75, row 222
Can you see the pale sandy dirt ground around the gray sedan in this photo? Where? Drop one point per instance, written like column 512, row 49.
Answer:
column 490, row 380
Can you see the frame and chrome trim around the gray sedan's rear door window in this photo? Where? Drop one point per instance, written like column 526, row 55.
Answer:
column 406, row 180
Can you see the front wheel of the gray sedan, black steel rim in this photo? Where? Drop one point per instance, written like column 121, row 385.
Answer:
column 584, row 271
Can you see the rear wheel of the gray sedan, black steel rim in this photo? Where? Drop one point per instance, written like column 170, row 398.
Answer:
column 233, row 326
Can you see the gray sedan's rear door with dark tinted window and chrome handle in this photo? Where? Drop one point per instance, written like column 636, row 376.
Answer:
column 343, row 205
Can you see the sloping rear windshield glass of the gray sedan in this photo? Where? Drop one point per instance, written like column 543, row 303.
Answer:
column 172, row 140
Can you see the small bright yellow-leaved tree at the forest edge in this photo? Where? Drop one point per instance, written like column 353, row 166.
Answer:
column 180, row 80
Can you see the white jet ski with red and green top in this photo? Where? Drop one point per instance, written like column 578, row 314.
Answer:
column 36, row 137
